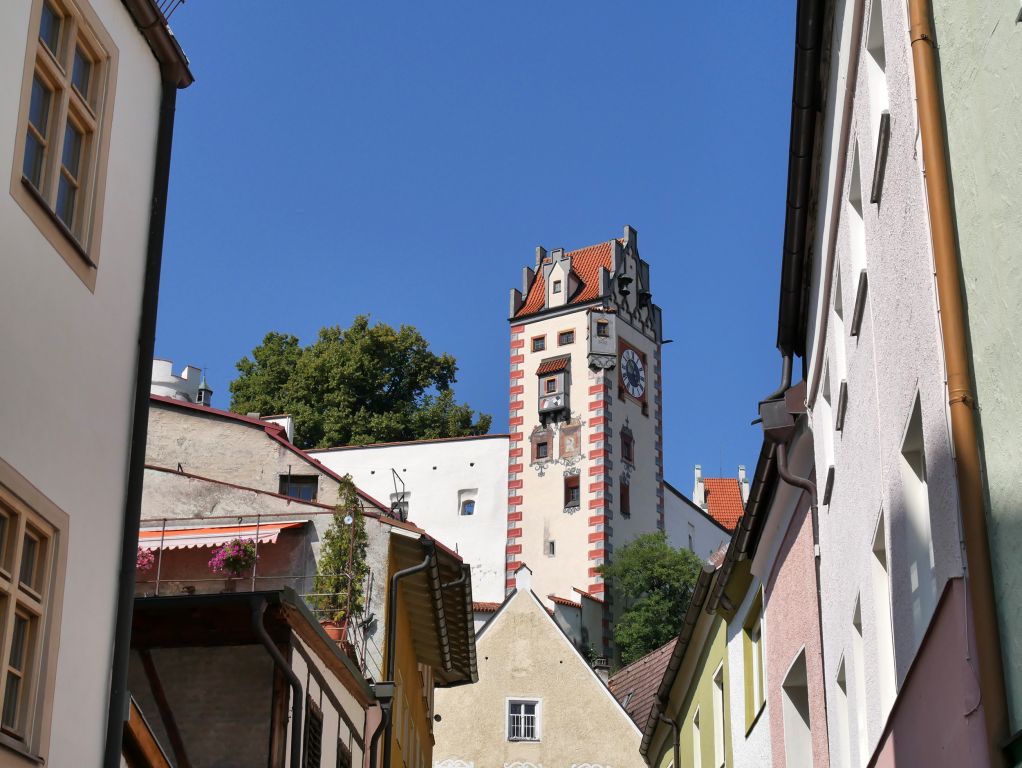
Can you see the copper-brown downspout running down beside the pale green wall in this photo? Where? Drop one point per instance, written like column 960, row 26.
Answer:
column 962, row 401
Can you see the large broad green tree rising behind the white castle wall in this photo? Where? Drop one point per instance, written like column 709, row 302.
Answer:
column 364, row 384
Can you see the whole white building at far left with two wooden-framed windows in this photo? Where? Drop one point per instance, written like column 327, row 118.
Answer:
column 86, row 120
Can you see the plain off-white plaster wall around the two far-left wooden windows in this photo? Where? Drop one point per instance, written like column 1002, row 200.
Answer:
column 72, row 441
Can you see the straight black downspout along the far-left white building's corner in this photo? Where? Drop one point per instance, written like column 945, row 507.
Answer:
column 120, row 700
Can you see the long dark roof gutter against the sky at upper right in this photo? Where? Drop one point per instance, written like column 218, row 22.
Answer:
column 805, row 108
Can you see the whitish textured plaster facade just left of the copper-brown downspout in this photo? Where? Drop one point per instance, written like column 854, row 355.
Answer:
column 897, row 354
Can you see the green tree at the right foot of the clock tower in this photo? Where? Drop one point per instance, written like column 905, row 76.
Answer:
column 656, row 582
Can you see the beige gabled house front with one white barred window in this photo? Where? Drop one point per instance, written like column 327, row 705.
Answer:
column 538, row 702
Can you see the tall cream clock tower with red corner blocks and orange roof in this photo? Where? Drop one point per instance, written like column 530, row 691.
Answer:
column 586, row 463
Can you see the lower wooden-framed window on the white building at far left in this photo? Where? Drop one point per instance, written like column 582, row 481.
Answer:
column 27, row 551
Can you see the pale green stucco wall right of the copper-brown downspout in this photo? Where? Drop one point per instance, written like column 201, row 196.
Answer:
column 981, row 55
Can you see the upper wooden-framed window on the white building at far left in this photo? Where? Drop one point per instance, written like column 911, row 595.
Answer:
column 67, row 108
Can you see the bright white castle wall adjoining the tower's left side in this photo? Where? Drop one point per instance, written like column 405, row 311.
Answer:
column 435, row 473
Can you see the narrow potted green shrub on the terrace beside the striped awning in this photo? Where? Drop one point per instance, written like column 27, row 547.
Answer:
column 341, row 573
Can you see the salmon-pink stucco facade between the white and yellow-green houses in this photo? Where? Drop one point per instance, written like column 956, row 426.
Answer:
column 793, row 626
